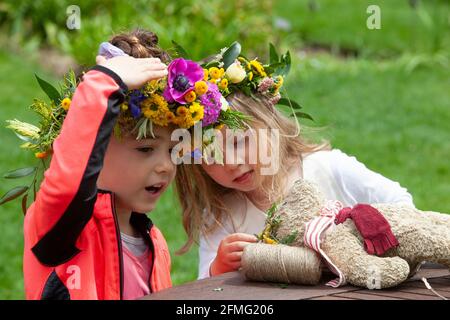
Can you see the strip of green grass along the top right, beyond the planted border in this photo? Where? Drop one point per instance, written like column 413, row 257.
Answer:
column 337, row 25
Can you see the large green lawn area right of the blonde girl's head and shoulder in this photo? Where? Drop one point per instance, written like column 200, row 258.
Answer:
column 394, row 121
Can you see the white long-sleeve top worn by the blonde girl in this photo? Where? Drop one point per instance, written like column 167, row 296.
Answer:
column 339, row 176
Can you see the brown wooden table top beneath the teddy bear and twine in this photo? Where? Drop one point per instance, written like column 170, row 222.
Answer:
column 233, row 286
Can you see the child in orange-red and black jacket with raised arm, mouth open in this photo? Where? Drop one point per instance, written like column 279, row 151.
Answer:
column 86, row 234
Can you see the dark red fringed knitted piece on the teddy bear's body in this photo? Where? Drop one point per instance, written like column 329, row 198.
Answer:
column 373, row 227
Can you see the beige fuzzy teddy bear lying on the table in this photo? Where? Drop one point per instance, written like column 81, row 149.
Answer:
column 414, row 236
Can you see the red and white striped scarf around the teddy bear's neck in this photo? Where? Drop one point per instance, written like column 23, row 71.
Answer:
column 315, row 232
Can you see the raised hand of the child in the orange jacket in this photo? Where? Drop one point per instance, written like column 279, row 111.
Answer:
column 134, row 72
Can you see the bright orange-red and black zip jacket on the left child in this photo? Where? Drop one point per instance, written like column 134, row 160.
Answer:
column 72, row 239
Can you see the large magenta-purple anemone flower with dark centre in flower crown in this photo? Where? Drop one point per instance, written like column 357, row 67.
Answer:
column 183, row 74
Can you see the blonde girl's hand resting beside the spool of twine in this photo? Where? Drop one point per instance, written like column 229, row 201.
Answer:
column 230, row 252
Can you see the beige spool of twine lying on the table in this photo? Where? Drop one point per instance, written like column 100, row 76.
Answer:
column 281, row 263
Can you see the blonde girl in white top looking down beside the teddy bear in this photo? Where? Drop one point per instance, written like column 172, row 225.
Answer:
column 224, row 204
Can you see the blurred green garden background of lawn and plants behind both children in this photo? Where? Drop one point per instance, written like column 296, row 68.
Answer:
column 381, row 95
